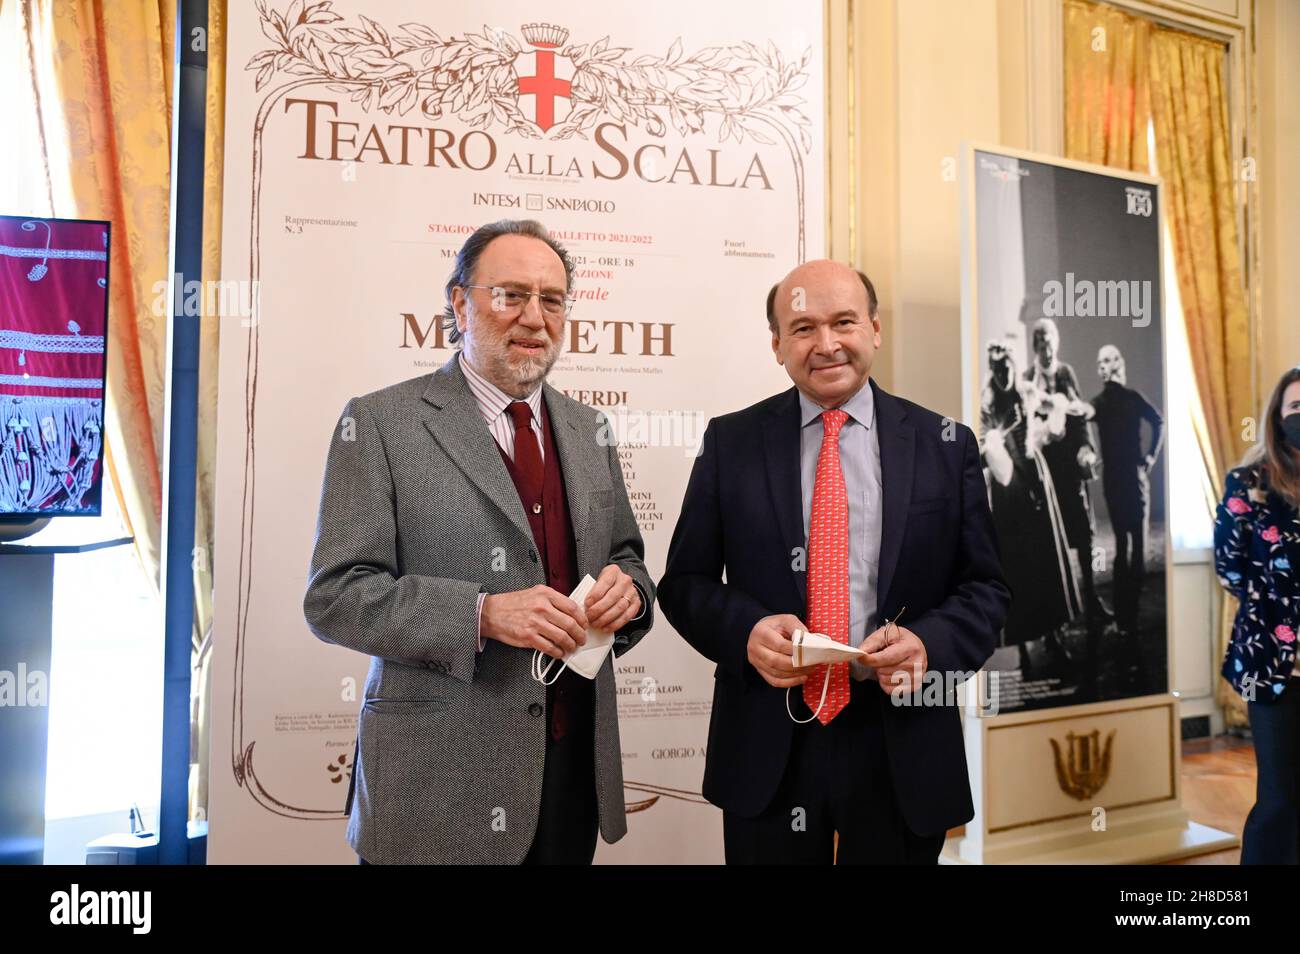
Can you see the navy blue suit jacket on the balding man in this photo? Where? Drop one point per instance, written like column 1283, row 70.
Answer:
column 743, row 514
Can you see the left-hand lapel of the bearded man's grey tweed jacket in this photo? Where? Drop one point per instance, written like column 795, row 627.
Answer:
column 457, row 424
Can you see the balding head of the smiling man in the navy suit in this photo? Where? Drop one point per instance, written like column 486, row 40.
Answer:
column 825, row 329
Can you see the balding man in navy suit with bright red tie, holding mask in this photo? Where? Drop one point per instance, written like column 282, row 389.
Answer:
column 838, row 509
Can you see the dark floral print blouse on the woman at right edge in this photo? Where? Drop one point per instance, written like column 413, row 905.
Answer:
column 1256, row 557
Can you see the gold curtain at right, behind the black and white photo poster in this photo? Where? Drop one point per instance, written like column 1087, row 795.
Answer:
column 1180, row 79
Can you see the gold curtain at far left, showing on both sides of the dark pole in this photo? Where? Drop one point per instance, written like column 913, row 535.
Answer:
column 103, row 77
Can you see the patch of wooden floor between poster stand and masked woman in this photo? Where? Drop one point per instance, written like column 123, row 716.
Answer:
column 1219, row 790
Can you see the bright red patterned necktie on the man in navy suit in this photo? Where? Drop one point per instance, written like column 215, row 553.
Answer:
column 829, row 567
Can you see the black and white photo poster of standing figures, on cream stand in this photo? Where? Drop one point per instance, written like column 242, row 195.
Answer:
column 1067, row 387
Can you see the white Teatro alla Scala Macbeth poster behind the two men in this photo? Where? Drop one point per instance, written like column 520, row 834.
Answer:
column 679, row 157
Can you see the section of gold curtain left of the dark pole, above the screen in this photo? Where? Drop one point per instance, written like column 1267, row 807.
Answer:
column 102, row 90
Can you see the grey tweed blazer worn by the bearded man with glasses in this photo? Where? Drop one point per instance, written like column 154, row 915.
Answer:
column 418, row 518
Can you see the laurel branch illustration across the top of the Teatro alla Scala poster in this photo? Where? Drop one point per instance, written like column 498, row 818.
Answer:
column 753, row 90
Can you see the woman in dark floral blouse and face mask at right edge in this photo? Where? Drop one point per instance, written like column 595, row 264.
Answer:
column 1258, row 560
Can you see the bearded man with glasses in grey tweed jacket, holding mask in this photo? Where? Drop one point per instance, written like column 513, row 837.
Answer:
column 460, row 511
